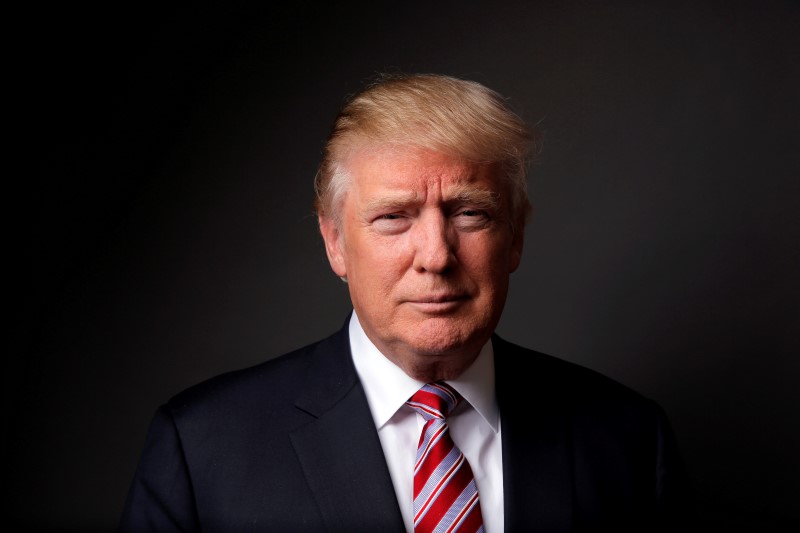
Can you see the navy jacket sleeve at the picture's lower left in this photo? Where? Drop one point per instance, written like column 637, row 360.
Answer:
column 161, row 497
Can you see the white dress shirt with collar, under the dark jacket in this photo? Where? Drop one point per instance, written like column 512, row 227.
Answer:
column 474, row 425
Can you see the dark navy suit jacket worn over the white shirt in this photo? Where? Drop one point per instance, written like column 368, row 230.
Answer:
column 290, row 445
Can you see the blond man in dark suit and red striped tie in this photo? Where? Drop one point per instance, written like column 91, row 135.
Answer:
column 422, row 203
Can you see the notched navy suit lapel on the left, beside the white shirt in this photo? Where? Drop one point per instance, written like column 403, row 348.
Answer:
column 340, row 451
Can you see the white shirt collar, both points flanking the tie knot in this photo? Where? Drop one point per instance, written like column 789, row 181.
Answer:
column 387, row 387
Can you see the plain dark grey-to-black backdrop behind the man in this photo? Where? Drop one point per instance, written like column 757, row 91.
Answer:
column 162, row 211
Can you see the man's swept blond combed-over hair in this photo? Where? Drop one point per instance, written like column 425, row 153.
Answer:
column 458, row 117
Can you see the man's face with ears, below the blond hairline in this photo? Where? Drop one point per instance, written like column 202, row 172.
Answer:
column 427, row 249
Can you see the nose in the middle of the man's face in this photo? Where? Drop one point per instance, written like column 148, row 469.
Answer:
column 434, row 244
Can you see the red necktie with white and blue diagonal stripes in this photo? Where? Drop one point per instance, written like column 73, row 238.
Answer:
column 445, row 494
